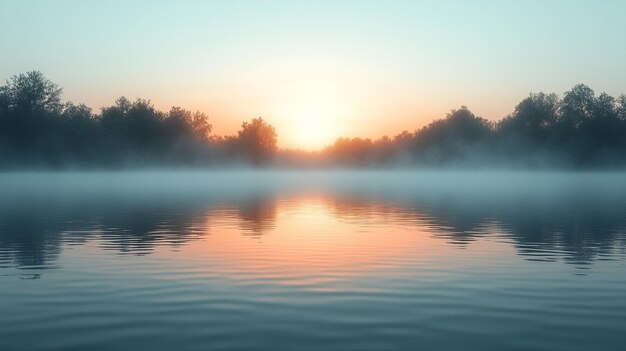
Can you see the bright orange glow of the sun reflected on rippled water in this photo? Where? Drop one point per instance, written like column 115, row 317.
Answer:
column 314, row 240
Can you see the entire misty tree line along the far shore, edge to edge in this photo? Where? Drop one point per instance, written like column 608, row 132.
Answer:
column 580, row 130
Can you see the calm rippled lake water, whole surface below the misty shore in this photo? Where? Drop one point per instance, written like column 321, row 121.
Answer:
column 312, row 261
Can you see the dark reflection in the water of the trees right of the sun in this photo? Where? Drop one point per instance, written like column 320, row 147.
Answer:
column 578, row 232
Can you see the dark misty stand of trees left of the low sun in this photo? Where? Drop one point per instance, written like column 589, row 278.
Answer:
column 38, row 130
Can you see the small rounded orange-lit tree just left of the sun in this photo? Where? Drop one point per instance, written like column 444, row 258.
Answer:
column 258, row 140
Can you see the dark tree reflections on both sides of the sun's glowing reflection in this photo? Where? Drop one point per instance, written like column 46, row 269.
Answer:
column 579, row 231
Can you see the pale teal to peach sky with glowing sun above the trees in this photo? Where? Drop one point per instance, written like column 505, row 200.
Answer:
column 317, row 70
